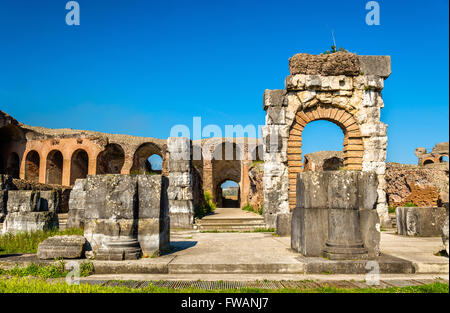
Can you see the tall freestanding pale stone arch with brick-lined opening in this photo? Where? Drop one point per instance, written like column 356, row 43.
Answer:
column 342, row 88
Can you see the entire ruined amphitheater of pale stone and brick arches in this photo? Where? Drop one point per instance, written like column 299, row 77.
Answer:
column 342, row 88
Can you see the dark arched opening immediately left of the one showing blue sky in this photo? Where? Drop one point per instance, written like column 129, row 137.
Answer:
column 111, row 160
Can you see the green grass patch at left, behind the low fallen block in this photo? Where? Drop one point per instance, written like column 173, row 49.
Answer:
column 27, row 242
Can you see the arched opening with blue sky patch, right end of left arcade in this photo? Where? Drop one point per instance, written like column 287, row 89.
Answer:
column 147, row 159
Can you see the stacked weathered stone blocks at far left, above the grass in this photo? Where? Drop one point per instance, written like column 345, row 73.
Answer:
column 27, row 211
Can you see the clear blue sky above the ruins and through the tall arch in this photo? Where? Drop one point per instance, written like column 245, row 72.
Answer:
column 139, row 67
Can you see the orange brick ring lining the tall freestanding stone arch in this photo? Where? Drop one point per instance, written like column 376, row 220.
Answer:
column 353, row 143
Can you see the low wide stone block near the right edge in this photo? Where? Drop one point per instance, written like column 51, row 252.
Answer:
column 420, row 221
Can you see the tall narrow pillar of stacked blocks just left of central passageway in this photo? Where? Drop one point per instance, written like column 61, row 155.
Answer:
column 180, row 192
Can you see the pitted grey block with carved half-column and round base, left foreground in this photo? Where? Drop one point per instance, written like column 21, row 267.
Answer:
column 111, row 217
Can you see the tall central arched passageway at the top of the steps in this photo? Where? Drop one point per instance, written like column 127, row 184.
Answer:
column 226, row 166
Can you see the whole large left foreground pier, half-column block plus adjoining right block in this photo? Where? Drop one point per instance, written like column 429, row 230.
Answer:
column 126, row 215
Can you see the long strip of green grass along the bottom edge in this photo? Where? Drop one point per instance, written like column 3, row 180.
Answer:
column 39, row 285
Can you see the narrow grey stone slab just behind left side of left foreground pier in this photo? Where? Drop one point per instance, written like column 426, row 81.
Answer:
column 77, row 204
